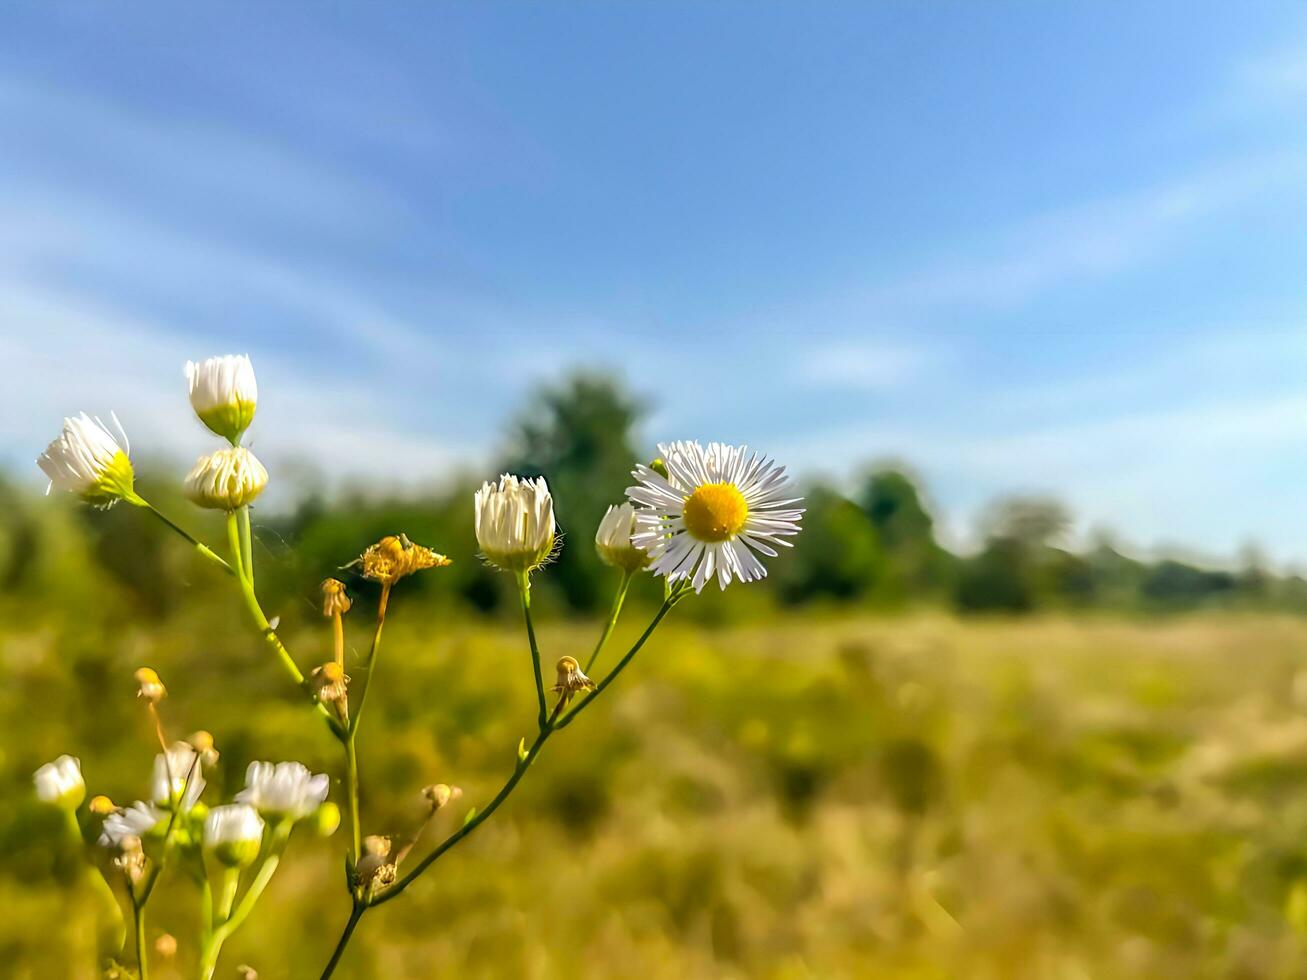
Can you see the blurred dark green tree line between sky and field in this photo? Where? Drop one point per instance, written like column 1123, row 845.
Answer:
column 875, row 547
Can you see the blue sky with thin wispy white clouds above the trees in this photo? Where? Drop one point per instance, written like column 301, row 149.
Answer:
column 1025, row 248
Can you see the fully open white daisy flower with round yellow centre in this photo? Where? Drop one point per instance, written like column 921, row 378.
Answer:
column 713, row 510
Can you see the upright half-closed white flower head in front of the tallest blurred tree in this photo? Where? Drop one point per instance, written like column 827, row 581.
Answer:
column 516, row 523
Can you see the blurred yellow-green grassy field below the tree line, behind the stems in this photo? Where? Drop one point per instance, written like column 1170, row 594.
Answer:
column 829, row 796
